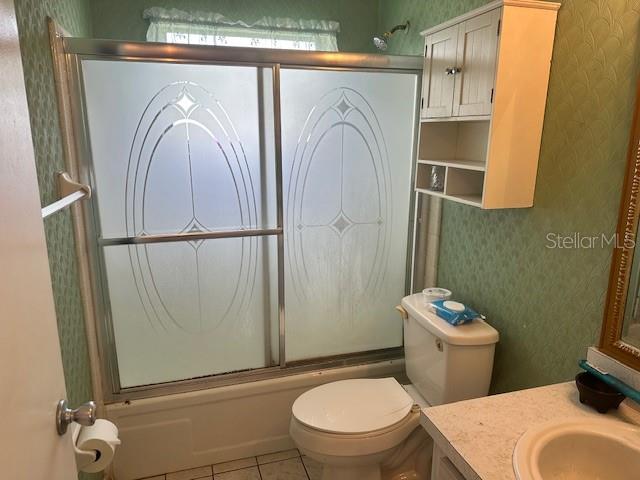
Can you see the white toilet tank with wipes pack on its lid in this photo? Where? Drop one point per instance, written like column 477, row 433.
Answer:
column 446, row 363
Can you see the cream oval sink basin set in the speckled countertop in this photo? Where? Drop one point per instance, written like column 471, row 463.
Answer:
column 579, row 449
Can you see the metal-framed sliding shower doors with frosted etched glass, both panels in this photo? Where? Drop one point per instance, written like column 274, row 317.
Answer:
column 252, row 213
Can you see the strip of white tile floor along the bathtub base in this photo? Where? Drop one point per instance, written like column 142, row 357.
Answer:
column 287, row 465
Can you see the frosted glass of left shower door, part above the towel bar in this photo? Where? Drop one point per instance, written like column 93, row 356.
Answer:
column 179, row 148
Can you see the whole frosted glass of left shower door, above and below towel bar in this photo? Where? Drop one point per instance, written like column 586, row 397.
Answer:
column 182, row 148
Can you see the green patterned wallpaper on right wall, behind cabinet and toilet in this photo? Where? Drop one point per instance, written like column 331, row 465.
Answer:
column 547, row 304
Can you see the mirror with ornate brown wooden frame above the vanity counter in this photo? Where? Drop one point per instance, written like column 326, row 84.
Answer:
column 620, row 337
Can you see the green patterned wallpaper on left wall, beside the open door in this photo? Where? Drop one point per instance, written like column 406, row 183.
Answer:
column 38, row 72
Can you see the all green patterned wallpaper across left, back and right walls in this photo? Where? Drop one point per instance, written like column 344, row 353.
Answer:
column 546, row 303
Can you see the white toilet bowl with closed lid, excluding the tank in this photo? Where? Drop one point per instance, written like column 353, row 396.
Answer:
column 364, row 429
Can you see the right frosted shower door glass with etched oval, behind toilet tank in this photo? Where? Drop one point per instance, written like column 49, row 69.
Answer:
column 347, row 153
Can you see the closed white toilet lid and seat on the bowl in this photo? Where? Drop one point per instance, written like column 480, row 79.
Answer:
column 351, row 407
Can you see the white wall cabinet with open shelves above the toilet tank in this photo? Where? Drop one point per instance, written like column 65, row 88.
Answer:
column 484, row 92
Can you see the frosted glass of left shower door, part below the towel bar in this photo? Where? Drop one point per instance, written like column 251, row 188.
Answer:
column 190, row 309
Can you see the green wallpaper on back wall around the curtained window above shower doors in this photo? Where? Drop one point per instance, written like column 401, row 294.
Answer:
column 358, row 18
